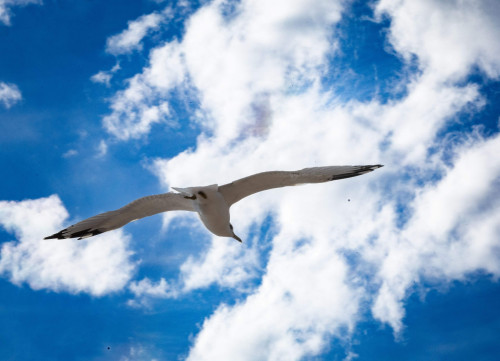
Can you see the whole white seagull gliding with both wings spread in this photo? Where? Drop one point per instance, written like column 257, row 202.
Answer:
column 211, row 202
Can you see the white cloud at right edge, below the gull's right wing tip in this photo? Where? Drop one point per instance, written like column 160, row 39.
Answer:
column 454, row 230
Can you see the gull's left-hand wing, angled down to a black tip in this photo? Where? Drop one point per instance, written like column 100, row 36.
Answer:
column 140, row 208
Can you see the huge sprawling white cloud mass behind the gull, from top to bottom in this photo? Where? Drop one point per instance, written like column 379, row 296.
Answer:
column 256, row 72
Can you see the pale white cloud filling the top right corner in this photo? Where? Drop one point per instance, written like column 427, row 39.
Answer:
column 448, row 37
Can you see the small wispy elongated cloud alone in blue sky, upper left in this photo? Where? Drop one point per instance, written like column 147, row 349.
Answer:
column 131, row 38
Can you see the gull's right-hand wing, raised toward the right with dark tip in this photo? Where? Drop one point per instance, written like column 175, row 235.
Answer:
column 234, row 191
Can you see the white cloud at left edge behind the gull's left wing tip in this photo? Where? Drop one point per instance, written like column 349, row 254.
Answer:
column 96, row 266
